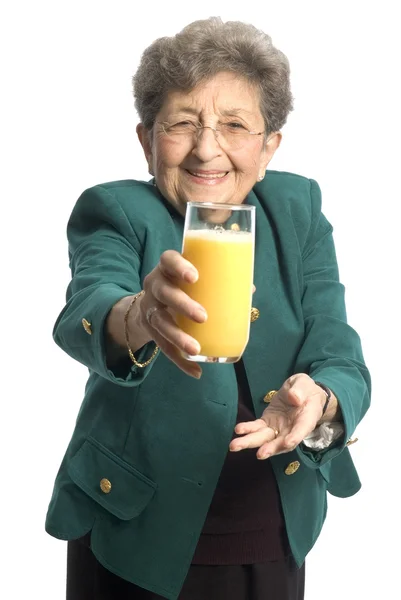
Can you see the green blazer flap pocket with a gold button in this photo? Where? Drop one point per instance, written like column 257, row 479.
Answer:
column 110, row 481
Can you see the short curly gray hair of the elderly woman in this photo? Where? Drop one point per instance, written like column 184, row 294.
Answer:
column 203, row 49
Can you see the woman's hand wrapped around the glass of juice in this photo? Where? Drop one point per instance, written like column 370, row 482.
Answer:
column 162, row 300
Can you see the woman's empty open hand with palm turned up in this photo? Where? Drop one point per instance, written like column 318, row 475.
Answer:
column 293, row 413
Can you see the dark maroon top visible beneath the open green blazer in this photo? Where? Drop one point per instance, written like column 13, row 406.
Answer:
column 245, row 523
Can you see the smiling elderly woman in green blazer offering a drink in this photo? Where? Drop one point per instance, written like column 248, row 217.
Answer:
column 178, row 483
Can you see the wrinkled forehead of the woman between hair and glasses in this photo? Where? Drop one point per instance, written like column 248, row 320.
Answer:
column 223, row 93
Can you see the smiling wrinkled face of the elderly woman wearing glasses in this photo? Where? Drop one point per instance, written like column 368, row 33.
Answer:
column 202, row 167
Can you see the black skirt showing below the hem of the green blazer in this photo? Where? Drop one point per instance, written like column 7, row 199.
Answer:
column 87, row 579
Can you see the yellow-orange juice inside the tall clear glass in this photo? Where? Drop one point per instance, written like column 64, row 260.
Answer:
column 224, row 260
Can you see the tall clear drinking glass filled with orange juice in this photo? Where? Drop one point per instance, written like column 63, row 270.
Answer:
column 219, row 241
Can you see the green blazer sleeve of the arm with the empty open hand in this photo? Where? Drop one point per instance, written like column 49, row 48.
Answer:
column 331, row 352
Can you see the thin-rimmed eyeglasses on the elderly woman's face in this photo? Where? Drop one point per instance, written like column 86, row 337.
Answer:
column 232, row 135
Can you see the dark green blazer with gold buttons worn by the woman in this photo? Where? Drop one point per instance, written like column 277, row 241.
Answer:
column 149, row 444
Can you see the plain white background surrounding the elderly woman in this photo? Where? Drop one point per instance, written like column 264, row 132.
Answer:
column 68, row 122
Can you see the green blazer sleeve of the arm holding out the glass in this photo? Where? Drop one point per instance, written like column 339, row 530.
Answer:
column 105, row 262
